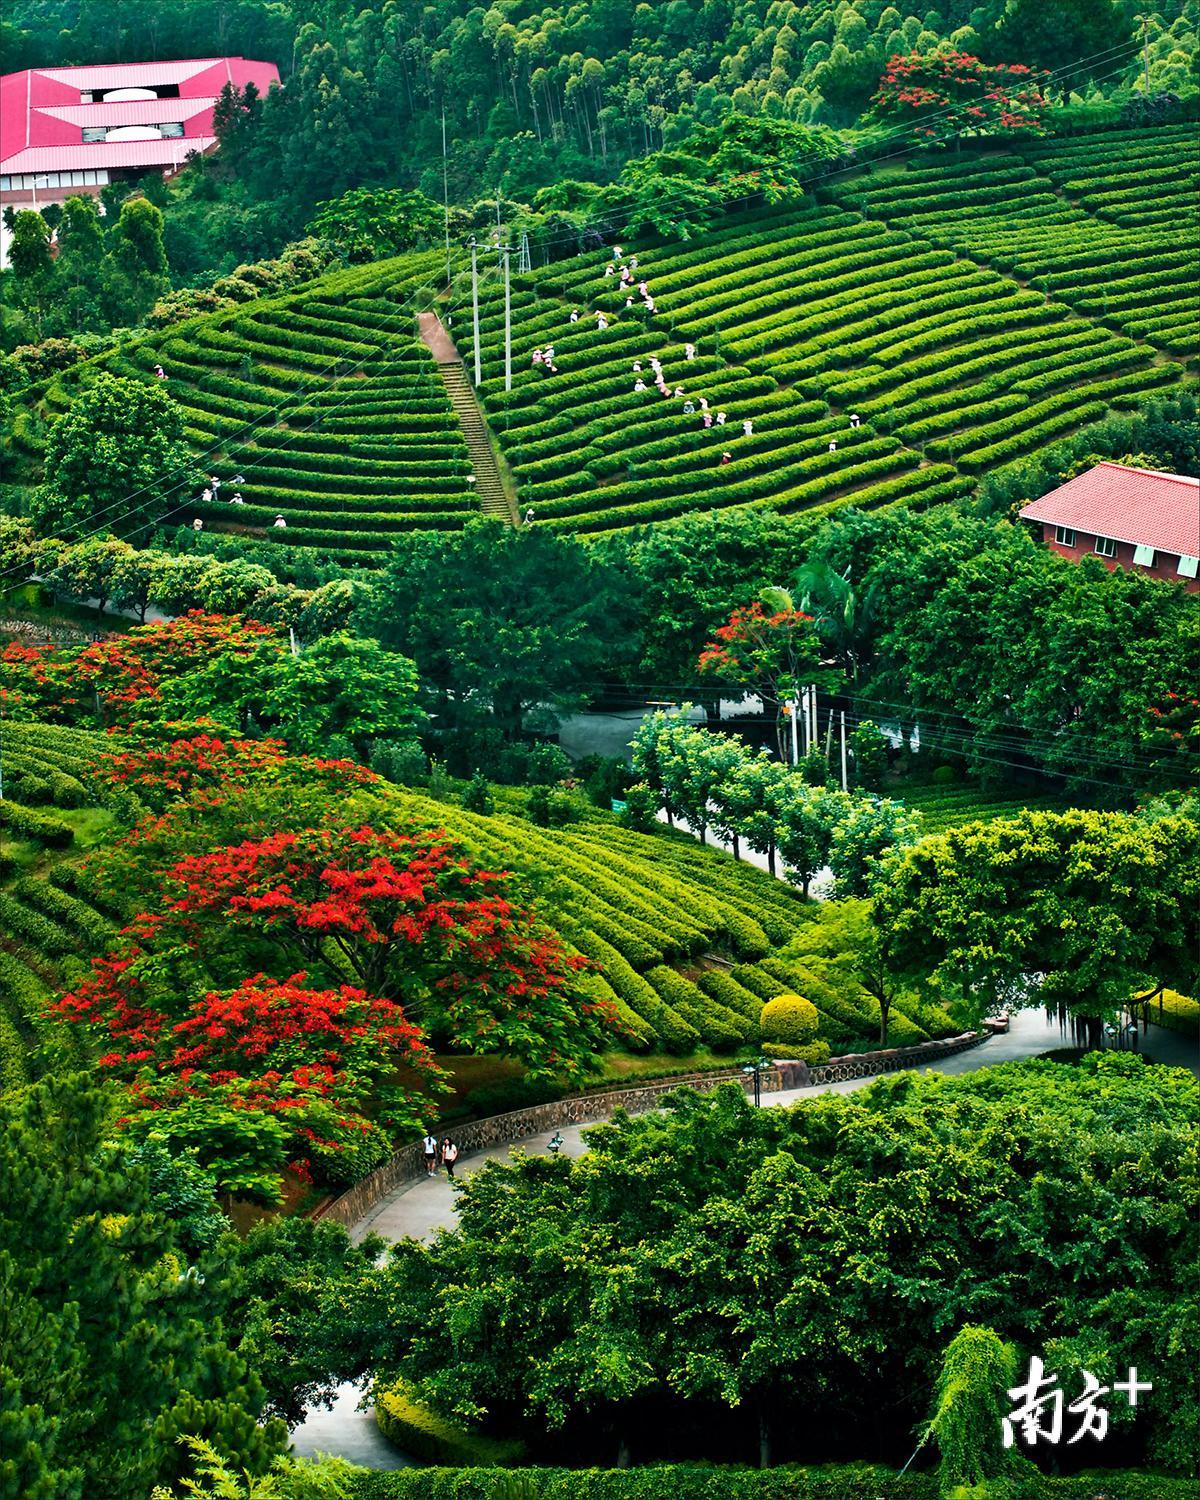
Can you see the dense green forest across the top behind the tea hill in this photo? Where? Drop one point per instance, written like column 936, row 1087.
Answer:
column 532, row 100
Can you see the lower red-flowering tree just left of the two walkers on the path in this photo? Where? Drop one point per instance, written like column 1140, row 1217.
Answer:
column 268, row 1075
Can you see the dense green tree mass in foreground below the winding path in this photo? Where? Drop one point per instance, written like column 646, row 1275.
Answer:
column 797, row 1267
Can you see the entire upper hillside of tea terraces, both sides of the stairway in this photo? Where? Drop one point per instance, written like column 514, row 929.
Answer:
column 914, row 328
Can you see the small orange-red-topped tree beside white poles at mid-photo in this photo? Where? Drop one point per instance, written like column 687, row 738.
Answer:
column 770, row 649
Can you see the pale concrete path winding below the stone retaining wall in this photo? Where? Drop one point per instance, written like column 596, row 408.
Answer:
column 421, row 1210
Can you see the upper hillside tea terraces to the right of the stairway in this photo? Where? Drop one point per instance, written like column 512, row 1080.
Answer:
column 799, row 320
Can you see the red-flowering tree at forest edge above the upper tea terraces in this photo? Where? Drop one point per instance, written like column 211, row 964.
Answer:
column 944, row 95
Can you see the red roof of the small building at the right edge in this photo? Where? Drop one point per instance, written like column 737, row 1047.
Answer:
column 1138, row 506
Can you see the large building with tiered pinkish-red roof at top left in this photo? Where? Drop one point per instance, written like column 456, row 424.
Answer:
column 74, row 130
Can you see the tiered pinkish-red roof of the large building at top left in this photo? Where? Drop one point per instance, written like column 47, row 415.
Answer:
column 41, row 112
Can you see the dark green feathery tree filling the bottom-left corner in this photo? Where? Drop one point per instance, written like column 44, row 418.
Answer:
column 92, row 1403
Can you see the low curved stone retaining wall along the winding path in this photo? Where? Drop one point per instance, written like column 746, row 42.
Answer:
column 409, row 1163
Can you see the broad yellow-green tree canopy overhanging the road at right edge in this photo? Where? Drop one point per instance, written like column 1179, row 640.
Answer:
column 1102, row 905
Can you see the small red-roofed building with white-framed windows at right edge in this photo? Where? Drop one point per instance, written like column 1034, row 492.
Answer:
column 1130, row 518
